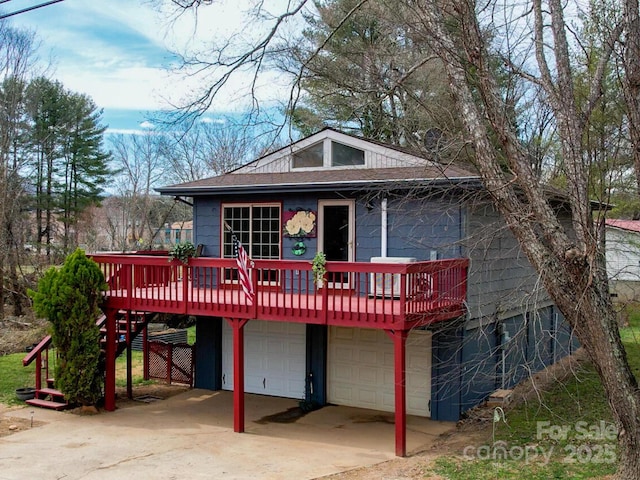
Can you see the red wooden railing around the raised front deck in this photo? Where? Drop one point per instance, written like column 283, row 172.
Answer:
column 375, row 294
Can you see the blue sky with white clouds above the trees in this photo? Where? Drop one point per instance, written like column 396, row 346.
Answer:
column 118, row 52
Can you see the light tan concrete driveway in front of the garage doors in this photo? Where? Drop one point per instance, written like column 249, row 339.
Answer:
column 190, row 436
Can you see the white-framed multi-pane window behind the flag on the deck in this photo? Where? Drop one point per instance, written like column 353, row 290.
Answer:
column 258, row 229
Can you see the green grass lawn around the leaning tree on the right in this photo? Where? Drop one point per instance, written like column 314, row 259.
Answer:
column 567, row 435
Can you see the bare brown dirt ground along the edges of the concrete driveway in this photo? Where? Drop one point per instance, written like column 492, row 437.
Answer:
column 475, row 429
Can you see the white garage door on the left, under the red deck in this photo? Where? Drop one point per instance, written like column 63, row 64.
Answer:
column 275, row 358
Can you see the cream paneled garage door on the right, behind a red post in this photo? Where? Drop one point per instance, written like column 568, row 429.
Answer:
column 361, row 370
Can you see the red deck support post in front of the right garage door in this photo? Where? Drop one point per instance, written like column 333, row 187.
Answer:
column 399, row 338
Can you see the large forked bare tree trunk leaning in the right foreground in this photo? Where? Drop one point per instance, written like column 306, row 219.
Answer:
column 570, row 267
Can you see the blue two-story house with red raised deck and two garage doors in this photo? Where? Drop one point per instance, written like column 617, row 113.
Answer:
column 362, row 202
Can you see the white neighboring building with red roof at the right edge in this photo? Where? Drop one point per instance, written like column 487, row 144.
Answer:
column 623, row 258
